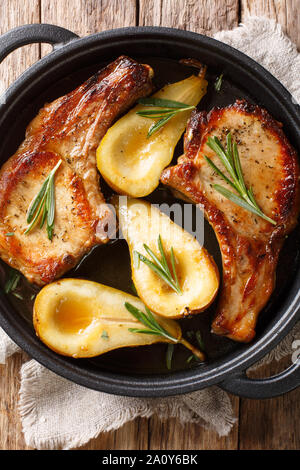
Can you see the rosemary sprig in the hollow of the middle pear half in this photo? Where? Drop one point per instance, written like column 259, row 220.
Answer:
column 160, row 266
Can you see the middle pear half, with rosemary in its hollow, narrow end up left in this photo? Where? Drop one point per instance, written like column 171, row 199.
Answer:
column 147, row 230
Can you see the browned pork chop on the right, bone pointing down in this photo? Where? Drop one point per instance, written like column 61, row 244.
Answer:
column 249, row 245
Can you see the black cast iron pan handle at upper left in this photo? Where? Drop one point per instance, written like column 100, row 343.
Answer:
column 31, row 33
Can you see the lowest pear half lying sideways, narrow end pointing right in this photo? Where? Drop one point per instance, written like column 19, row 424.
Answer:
column 81, row 318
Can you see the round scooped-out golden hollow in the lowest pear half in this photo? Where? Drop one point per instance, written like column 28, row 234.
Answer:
column 73, row 316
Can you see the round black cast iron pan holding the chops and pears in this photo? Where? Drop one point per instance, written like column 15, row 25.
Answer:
column 127, row 372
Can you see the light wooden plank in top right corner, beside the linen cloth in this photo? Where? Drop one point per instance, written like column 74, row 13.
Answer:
column 285, row 12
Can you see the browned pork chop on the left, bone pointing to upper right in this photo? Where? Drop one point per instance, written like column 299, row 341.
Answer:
column 70, row 128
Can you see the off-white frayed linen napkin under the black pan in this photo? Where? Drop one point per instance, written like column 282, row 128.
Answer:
column 45, row 397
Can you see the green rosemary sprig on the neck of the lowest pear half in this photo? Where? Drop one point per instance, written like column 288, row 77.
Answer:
column 154, row 328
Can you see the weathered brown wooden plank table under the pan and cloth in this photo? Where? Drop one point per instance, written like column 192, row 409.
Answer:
column 269, row 424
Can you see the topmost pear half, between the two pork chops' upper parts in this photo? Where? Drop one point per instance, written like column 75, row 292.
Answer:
column 129, row 160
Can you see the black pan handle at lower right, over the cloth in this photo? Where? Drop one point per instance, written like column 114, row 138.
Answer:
column 270, row 387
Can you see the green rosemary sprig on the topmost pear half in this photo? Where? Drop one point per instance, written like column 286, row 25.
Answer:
column 168, row 109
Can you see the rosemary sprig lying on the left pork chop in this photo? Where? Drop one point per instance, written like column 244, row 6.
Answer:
column 42, row 206
